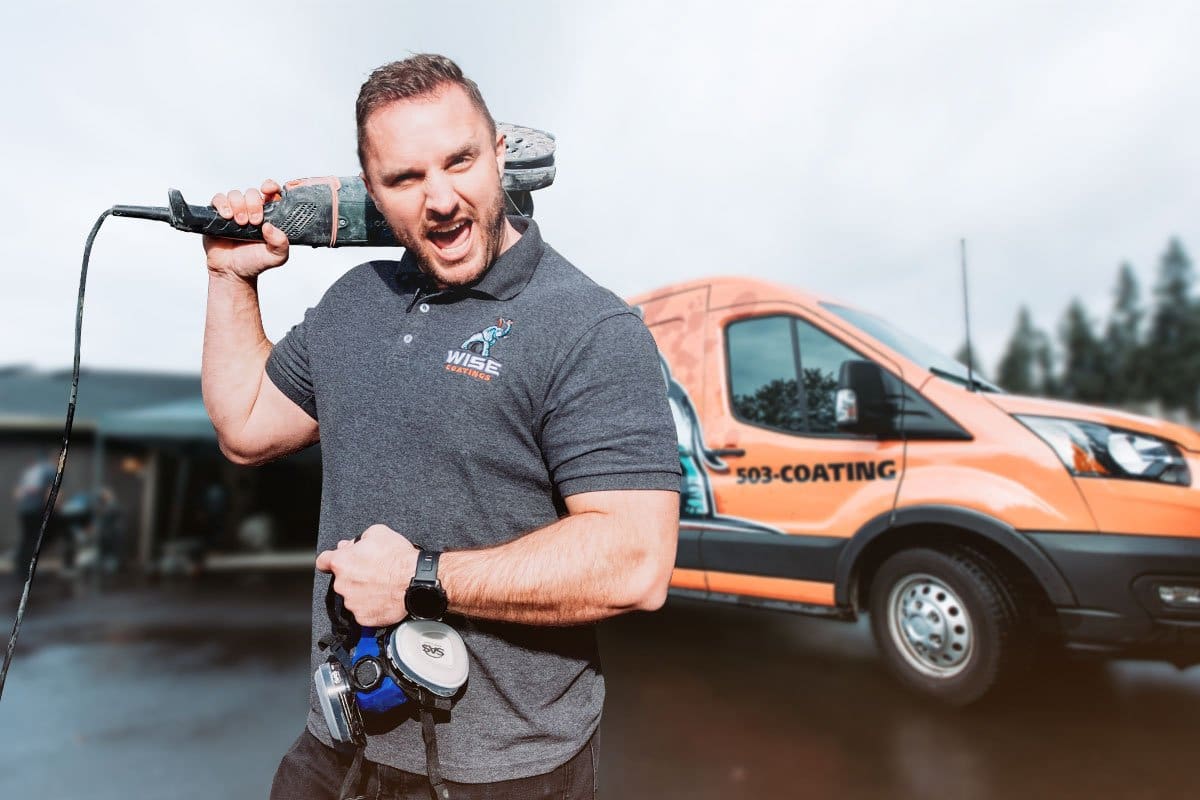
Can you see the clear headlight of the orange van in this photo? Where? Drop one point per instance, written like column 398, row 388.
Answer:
column 1094, row 450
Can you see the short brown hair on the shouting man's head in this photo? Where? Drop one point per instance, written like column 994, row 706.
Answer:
column 424, row 75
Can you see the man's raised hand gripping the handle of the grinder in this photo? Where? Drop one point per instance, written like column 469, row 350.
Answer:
column 247, row 261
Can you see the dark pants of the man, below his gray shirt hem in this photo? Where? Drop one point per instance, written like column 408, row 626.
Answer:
column 313, row 772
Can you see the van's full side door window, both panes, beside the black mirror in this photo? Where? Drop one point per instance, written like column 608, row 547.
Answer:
column 766, row 357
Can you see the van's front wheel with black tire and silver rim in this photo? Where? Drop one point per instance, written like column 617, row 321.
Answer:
column 946, row 623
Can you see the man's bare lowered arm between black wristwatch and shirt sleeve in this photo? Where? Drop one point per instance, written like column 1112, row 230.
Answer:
column 584, row 568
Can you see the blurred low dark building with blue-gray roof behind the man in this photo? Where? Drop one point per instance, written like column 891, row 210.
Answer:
column 147, row 438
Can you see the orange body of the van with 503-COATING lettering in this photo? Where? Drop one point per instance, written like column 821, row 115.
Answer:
column 752, row 527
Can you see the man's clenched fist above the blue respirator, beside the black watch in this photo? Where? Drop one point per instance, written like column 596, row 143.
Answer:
column 373, row 574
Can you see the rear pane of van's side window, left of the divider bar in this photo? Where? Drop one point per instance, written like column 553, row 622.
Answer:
column 763, row 374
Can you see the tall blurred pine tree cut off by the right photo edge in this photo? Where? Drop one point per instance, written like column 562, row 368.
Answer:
column 1173, row 347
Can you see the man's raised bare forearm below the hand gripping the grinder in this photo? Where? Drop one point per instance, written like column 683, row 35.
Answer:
column 236, row 350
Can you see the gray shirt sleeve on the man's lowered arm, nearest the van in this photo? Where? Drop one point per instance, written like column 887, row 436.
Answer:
column 607, row 424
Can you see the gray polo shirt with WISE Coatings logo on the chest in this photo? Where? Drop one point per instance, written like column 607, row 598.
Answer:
column 463, row 419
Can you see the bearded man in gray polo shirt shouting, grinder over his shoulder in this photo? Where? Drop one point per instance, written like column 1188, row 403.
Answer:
column 547, row 474
